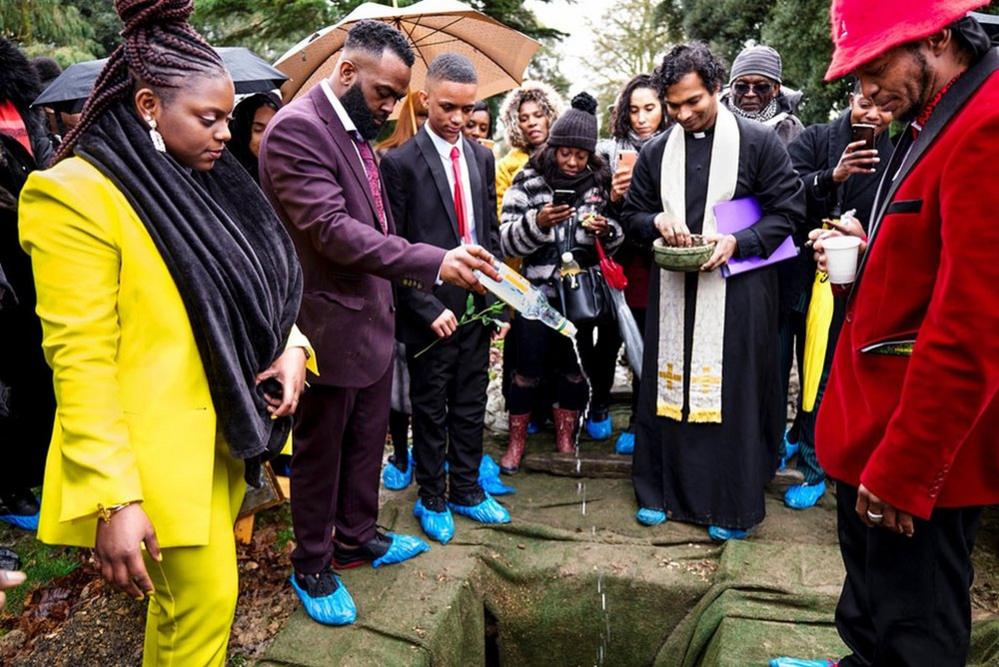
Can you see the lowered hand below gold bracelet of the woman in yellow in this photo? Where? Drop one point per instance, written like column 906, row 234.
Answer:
column 118, row 553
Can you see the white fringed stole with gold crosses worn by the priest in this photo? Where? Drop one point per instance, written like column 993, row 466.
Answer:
column 709, row 314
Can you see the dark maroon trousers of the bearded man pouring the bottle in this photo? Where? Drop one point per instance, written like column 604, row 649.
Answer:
column 336, row 460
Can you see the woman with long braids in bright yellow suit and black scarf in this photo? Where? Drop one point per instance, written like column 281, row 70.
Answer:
column 167, row 291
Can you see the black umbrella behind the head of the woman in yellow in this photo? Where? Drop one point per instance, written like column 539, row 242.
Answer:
column 69, row 90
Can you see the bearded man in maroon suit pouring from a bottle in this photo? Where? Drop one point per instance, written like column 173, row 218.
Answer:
column 319, row 171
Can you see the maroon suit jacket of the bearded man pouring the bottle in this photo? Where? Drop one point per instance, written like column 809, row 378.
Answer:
column 311, row 174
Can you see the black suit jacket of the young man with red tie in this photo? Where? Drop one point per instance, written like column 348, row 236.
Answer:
column 423, row 208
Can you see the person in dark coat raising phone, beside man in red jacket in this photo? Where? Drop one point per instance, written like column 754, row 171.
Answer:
column 840, row 164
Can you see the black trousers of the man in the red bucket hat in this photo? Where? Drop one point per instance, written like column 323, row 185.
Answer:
column 906, row 601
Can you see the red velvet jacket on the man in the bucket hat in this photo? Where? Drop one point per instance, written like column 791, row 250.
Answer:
column 921, row 430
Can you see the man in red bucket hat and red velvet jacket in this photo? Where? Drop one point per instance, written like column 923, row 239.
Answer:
column 909, row 421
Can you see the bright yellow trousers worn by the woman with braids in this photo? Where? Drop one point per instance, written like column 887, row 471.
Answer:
column 190, row 614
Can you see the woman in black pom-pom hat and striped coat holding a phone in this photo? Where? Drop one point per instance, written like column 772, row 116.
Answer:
column 556, row 204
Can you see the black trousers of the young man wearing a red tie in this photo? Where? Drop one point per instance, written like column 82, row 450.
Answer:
column 447, row 388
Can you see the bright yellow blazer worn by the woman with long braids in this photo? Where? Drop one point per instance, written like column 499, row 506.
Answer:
column 134, row 418
